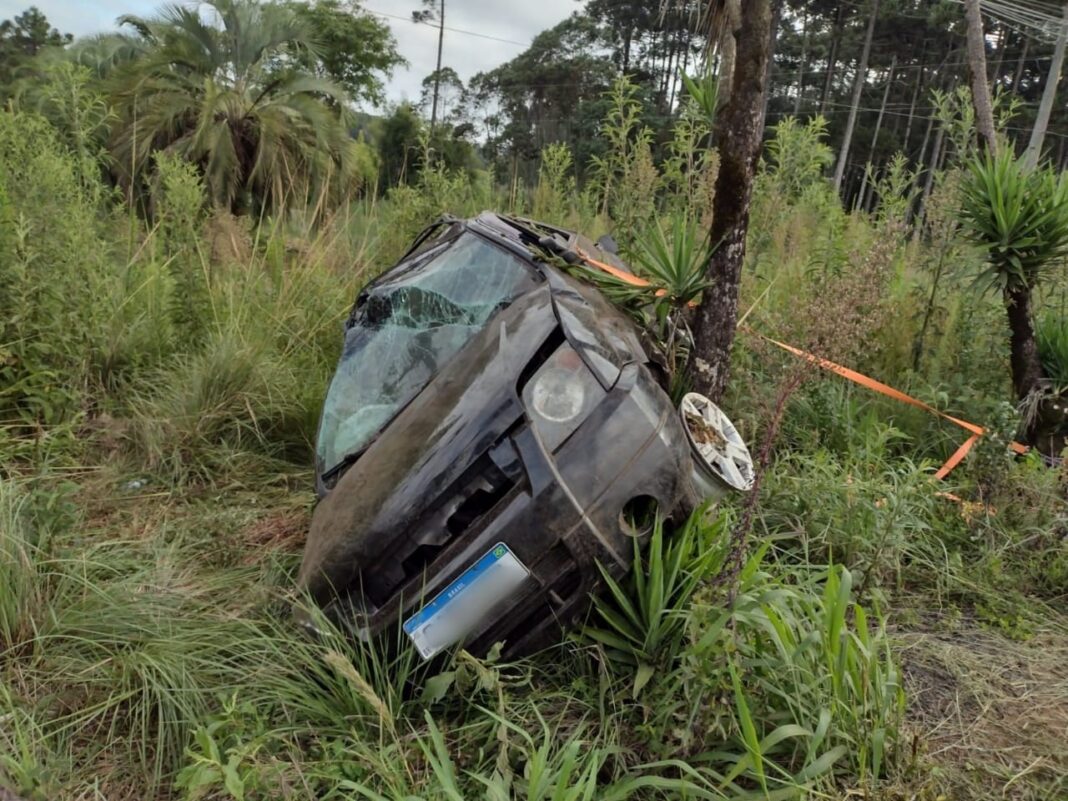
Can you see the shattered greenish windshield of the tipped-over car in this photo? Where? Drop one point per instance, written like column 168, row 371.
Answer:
column 405, row 332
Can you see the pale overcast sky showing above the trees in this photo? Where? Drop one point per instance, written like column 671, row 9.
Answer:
column 505, row 29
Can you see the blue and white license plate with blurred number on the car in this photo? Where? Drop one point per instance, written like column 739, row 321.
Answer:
column 462, row 606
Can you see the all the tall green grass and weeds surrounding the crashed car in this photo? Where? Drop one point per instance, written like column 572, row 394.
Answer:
column 878, row 641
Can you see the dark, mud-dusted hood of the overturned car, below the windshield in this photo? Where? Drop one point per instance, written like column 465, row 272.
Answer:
column 410, row 469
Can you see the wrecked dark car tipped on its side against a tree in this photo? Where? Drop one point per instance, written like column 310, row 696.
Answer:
column 493, row 427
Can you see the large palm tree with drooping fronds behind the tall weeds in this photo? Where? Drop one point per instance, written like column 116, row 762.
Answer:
column 224, row 90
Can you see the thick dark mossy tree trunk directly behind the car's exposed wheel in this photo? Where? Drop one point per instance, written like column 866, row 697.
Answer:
column 741, row 135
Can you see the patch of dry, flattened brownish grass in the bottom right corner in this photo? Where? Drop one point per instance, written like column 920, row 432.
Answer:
column 992, row 712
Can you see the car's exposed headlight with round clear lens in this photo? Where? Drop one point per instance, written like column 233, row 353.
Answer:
column 561, row 396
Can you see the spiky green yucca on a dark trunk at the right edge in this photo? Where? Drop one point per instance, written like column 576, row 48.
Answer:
column 1020, row 218
